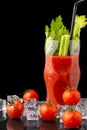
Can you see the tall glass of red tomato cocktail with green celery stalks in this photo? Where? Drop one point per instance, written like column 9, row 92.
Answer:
column 62, row 68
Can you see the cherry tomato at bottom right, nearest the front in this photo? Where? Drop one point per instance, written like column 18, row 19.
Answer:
column 72, row 118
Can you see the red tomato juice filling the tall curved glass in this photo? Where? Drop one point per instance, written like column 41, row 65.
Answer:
column 59, row 73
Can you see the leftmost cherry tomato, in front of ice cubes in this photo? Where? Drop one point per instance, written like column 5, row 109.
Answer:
column 14, row 108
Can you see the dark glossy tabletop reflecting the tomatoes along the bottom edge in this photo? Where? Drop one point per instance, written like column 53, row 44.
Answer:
column 22, row 124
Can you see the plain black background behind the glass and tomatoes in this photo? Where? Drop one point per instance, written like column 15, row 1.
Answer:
column 22, row 44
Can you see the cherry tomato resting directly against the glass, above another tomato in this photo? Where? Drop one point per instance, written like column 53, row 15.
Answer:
column 71, row 96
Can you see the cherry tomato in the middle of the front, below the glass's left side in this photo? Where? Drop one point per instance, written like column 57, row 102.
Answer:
column 48, row 111
